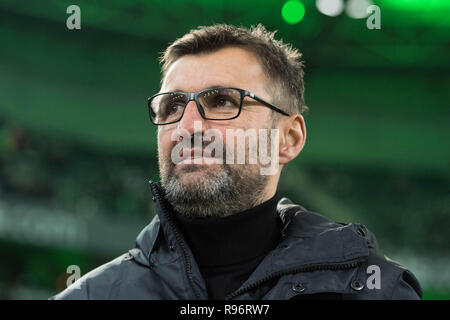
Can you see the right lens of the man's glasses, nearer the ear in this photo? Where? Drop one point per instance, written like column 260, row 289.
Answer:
column 220, row 103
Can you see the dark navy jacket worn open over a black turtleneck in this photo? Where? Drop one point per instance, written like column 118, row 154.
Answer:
column 315, row 259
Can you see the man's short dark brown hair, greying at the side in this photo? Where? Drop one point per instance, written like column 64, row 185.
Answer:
column 281, row 62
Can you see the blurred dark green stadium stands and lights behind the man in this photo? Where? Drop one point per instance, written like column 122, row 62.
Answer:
column 77, row 149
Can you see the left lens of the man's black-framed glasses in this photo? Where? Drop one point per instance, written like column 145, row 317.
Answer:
column 167, row 107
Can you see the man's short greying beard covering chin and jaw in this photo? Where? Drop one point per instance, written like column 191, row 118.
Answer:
column 226, row 191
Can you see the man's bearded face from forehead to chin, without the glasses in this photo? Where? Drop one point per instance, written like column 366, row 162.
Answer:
column 214, row 189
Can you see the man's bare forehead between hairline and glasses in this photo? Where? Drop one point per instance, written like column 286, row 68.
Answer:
column 233, row 67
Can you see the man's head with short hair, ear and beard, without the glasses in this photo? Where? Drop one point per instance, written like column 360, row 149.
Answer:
column 249, row 59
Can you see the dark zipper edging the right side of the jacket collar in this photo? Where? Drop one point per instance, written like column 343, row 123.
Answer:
column 308, row 268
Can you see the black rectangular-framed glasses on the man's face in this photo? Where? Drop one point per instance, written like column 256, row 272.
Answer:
column 217, row 103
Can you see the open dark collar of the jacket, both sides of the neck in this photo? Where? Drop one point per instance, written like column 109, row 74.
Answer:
column 307, row 238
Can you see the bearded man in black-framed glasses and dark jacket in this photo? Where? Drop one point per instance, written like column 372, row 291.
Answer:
column 222, row 231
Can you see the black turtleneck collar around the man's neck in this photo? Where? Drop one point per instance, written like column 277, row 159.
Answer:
column 236, row 239
